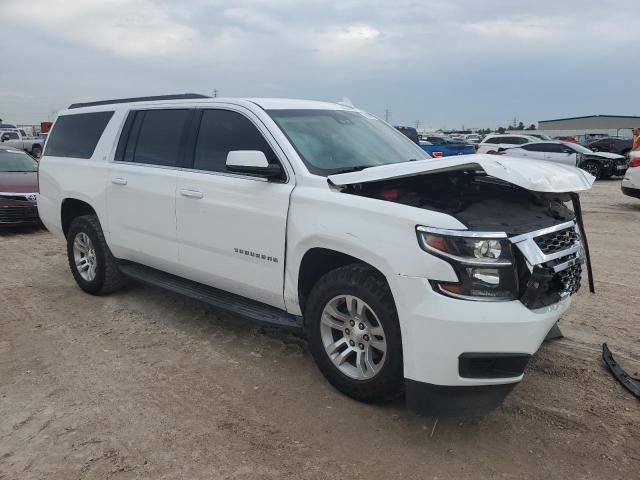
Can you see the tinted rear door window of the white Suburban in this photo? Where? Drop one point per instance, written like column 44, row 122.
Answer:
column 159, row 140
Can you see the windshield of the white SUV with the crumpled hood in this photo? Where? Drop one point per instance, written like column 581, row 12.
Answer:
column 332, row 141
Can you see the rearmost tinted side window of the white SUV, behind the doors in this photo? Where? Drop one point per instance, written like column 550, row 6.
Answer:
column 77, row 135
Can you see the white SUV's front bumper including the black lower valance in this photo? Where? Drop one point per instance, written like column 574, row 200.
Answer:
column 437, row 331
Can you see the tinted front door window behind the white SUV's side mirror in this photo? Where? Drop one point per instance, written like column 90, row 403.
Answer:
column 221, row 132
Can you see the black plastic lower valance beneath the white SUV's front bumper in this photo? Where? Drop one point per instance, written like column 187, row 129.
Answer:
column 459, row 401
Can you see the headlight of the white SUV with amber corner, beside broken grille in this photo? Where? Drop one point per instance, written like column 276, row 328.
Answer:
column 483, row 262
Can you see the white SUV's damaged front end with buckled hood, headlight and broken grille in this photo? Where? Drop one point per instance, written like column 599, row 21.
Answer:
column 525, row 237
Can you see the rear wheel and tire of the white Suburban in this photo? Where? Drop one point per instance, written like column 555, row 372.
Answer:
column 90, row 260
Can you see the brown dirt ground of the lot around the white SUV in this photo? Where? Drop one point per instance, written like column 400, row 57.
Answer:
column 147, row 384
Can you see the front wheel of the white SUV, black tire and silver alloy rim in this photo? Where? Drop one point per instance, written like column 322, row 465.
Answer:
column 354, row 333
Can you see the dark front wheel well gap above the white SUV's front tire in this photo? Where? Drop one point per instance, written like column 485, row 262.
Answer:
column 316, row 263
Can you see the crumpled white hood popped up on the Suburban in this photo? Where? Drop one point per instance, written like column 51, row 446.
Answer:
column 534, row 175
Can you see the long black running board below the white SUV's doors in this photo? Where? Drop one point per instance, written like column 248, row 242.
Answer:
column 257, row 311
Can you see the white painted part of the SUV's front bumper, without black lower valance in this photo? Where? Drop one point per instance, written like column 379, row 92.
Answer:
column 437, row 330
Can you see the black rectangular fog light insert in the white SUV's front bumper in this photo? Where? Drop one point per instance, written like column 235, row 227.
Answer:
column 492, row 365
